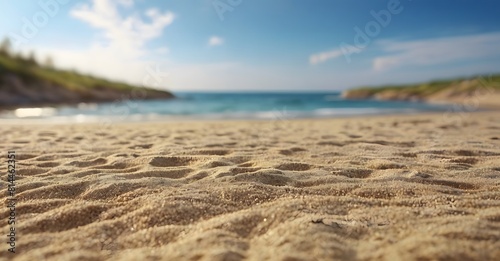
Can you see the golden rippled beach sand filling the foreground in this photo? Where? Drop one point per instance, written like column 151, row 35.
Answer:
column 420, row 187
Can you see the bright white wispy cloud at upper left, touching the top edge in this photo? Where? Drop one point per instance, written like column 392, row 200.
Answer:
column 127, row 34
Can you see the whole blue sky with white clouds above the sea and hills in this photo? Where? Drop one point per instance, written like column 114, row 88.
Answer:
column 260, row 45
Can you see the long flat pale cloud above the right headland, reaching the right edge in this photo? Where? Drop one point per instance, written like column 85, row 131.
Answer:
column 437, row 51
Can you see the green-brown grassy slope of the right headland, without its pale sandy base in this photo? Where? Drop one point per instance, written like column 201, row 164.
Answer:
column 425, row 91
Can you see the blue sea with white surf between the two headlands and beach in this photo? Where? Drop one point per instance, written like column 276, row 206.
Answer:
column 205, row 105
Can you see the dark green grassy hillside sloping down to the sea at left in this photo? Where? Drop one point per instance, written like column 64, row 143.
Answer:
column 24, row 82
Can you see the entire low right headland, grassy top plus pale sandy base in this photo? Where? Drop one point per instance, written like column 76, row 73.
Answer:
column 485, row 91
